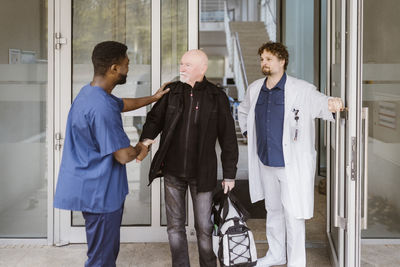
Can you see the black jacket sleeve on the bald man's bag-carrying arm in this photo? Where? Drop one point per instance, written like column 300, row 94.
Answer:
column 227, row 138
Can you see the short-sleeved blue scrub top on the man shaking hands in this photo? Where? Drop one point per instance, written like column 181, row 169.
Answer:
column 90, row 179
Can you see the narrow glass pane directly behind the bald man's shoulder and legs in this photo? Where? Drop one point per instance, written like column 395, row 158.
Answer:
column 174, row 43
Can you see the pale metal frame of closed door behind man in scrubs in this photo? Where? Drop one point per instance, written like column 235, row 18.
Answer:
column 60, row 230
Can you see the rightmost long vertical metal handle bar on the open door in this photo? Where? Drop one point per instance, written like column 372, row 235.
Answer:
column 365, row 191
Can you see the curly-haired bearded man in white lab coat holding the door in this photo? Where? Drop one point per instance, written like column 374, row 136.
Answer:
column 278, row 118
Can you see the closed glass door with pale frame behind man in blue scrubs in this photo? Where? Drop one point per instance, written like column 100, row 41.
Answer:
column 145, row 27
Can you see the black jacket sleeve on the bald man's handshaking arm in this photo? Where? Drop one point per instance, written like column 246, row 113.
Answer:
column 155, row 119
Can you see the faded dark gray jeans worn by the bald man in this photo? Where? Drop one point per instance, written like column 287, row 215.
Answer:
column 175, row 191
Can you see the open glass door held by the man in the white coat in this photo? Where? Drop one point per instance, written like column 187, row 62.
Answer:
column 344, row 136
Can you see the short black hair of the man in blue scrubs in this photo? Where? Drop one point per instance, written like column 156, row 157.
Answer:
column 107, row 53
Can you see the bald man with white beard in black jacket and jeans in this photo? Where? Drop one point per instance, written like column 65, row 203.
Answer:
column 190, row 118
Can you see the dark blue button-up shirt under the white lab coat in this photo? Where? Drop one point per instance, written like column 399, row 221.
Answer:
column 269, row 112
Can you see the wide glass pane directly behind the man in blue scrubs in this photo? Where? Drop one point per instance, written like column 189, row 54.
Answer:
column 129, row 22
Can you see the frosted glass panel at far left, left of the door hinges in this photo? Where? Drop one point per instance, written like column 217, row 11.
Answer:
column 23, row 120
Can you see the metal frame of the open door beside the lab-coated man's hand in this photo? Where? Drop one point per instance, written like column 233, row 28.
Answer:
column 350, row 204
